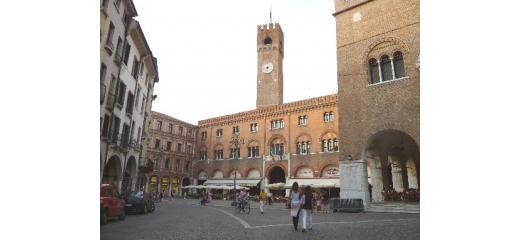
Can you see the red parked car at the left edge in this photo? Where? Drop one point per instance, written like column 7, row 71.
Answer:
column 112, row 204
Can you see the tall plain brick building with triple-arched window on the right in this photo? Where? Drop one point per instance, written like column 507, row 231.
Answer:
column 378, row 91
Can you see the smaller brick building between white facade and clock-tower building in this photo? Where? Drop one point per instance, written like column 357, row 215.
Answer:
column 170, row 153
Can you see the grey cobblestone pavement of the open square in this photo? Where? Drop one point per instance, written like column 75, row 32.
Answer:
column 185, row 219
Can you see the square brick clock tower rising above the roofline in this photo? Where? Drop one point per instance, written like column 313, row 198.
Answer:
column 269, row 85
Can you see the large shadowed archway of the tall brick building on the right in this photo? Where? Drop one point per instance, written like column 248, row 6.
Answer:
column 392, row 158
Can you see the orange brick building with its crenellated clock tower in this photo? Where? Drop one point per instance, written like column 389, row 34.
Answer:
column 276, row 142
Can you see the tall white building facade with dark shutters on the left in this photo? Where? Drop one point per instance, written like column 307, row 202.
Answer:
column 128, row 74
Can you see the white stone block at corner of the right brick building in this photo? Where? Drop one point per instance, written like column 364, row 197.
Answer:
column 354, row 180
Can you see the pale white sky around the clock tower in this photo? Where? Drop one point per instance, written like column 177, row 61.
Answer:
column 206, row 52
